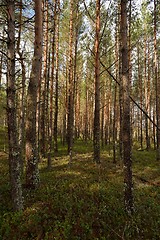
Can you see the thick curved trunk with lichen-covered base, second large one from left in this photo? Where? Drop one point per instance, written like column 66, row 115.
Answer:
column 32, row 174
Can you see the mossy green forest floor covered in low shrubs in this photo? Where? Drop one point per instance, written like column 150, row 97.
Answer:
column 83, row 200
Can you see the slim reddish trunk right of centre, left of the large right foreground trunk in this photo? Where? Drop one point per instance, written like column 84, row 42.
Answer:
column 96, row 140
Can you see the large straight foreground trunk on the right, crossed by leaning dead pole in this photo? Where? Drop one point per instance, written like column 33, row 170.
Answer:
column 128, row 185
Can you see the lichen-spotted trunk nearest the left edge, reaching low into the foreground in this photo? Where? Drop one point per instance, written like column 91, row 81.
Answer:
column 14, row 151
